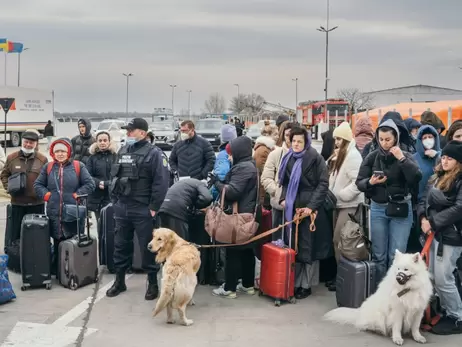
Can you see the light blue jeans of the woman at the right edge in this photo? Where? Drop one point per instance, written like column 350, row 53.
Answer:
column 442, row 270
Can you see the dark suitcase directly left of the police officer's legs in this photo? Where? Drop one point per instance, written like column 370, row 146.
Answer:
column 106, row 228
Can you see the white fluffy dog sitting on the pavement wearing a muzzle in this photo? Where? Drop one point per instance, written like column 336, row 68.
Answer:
column 398, row 305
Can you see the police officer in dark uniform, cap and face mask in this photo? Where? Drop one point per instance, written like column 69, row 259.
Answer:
column 138, row 188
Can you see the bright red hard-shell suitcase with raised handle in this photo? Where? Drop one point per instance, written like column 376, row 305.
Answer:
column 277, row 273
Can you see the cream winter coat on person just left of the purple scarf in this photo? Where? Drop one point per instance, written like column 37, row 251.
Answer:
column 270, row 174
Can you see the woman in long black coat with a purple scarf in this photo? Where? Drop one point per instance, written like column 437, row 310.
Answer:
column 305, row 184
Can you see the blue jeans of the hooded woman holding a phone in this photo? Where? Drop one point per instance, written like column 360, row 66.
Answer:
column 388, row 234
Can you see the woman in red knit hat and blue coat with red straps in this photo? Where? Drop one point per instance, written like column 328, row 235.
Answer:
column 60, row 185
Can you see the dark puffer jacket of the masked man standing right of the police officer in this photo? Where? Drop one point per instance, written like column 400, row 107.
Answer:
column 194, row 158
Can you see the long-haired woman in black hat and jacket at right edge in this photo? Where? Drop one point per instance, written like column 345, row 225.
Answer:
column 440, row 211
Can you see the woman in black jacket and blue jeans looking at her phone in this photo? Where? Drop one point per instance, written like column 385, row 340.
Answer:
column 387, row 177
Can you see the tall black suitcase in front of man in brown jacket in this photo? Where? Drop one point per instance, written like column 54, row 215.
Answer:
column 35, row 251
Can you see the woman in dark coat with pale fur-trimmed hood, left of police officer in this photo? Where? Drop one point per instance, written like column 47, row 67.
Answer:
column 102, row 155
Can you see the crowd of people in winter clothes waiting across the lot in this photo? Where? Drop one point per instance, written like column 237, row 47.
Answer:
column 406, row 171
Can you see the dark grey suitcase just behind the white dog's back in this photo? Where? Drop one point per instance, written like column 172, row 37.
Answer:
column 356, row 281
